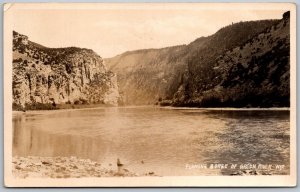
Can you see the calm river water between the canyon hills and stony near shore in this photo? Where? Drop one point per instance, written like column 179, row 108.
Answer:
column 156, row 139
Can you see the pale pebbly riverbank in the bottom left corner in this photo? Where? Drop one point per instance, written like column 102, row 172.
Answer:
column 65, row 167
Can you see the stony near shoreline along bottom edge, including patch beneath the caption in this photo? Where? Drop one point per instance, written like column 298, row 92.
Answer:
column 72, row 167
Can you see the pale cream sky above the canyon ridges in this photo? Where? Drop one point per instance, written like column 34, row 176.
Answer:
column 112, row 30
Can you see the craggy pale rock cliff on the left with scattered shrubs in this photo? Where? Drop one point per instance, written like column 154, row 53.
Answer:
column 59, row 75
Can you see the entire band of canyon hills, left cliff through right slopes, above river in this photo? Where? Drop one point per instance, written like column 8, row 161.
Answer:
column 245, row 64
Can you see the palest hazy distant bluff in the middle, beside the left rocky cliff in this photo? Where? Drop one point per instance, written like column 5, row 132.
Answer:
column 145, row 76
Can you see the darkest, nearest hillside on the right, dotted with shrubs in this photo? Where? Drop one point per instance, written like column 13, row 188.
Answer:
column 254, row 73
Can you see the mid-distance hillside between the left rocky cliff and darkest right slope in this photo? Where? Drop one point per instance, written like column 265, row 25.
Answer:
column 179, row 75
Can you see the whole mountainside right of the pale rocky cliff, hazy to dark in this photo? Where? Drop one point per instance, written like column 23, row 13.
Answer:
column 245, row 64
